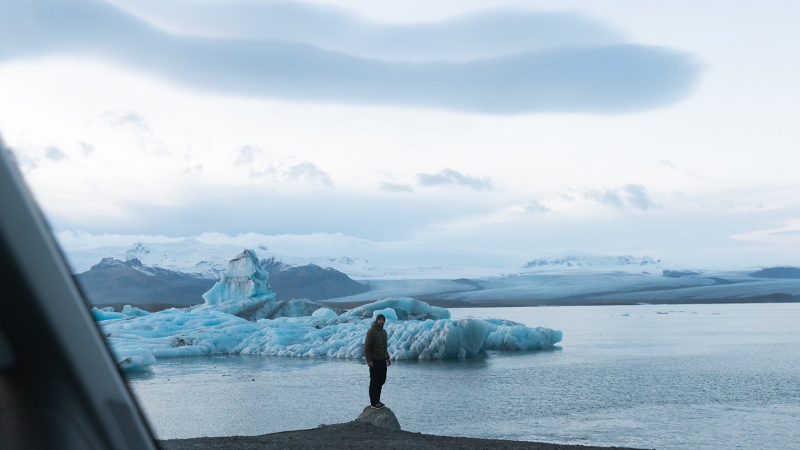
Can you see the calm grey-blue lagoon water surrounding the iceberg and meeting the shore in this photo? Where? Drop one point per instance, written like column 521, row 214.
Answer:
column 698, row 377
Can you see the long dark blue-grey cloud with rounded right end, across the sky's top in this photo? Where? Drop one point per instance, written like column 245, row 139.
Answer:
column 600, row 75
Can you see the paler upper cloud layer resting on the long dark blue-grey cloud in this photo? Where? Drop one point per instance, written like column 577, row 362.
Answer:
column 484, row 34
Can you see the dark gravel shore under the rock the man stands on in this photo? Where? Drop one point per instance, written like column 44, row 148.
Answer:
column 360, row 436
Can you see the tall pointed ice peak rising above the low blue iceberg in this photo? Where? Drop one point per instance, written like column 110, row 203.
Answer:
column 242, row 286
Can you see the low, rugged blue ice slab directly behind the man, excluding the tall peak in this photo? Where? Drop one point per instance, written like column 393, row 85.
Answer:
column 179, row 333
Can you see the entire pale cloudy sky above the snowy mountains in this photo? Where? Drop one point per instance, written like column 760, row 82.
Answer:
column 462, row 132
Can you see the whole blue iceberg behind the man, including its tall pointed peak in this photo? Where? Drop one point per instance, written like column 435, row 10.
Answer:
column 240, row 316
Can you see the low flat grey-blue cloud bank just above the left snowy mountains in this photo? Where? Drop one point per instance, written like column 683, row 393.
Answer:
column 239, row 209
